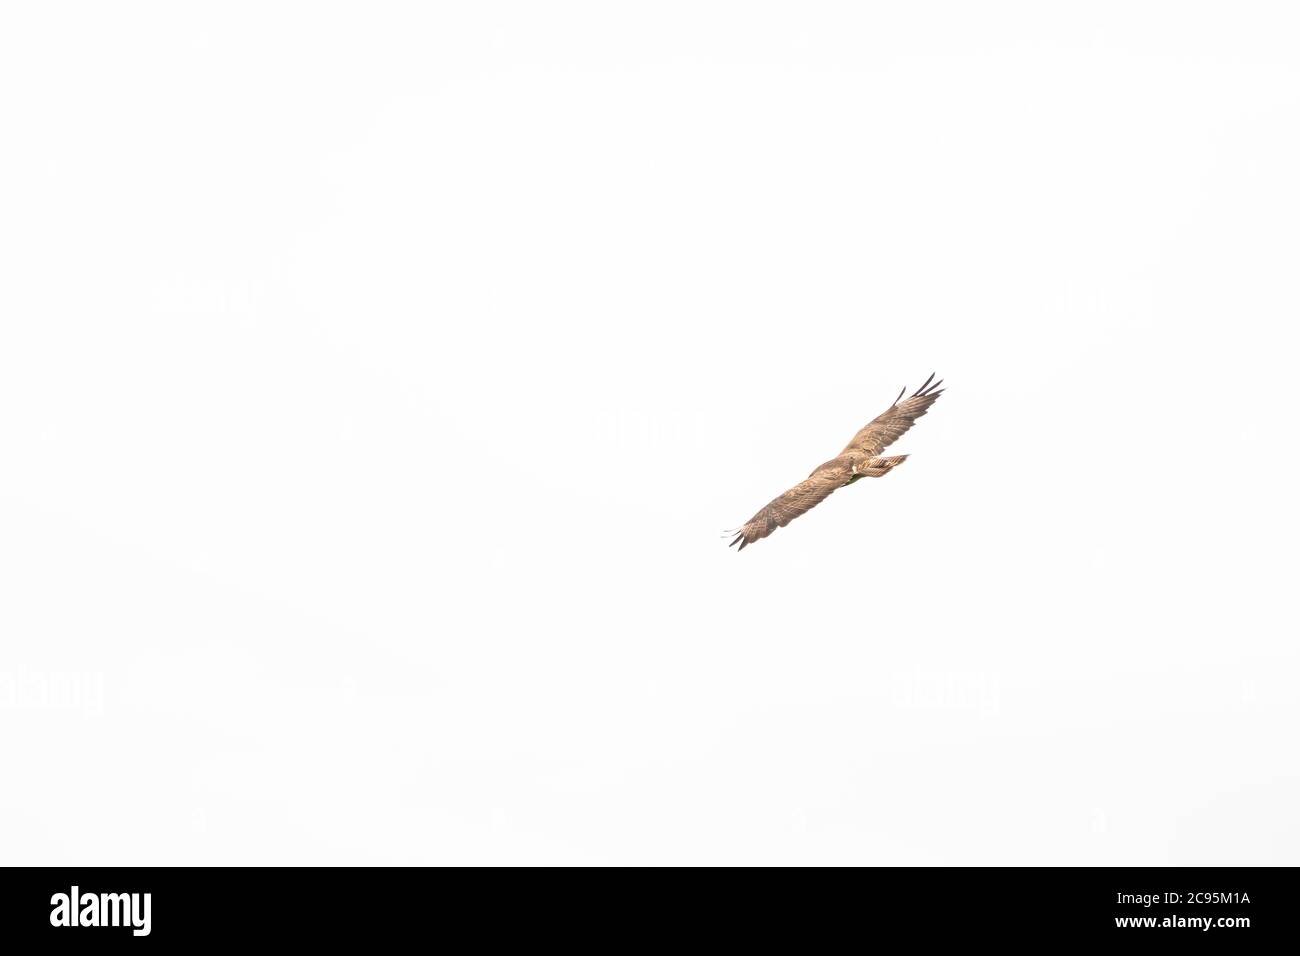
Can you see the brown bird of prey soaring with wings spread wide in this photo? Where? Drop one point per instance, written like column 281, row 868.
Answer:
column 861, row 458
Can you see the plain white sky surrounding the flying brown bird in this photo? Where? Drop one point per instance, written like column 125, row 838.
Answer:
column 375, row 387
